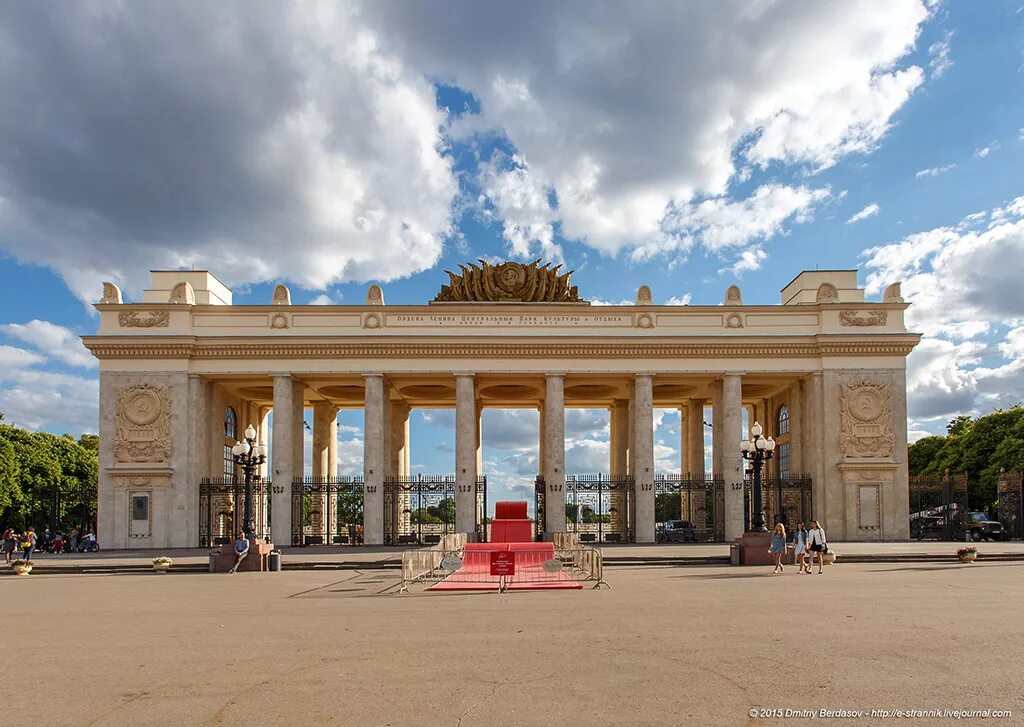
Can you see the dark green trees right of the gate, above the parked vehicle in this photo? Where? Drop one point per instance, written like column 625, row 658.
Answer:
column 977, row 448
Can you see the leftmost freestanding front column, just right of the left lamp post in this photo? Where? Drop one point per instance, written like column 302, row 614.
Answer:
column 283, row 457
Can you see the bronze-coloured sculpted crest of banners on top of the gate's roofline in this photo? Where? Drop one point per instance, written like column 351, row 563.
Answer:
column 509, row 282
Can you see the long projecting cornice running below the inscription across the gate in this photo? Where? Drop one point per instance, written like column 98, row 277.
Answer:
column 190, row 348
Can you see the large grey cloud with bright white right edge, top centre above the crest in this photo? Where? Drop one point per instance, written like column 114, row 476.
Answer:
column 603, row 116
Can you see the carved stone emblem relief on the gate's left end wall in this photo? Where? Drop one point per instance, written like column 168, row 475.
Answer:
column 144, row 424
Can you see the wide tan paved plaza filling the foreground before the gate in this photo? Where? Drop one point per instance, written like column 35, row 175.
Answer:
column 666, row 646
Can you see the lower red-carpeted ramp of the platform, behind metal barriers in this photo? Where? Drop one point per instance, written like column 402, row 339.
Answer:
column 530, row 574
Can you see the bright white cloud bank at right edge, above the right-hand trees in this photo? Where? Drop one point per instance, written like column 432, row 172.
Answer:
column 964, row 296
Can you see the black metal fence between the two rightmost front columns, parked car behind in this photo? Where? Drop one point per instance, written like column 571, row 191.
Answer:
column 690, row 508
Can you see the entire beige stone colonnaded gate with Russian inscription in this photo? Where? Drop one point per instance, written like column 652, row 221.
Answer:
column 173, row 365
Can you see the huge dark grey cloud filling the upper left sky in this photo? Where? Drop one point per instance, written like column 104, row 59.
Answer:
column 219, row 136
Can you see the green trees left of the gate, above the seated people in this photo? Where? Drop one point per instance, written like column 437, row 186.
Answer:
column 47, row 480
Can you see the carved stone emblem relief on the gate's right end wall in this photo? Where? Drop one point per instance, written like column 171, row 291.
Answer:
column 867, row 416
